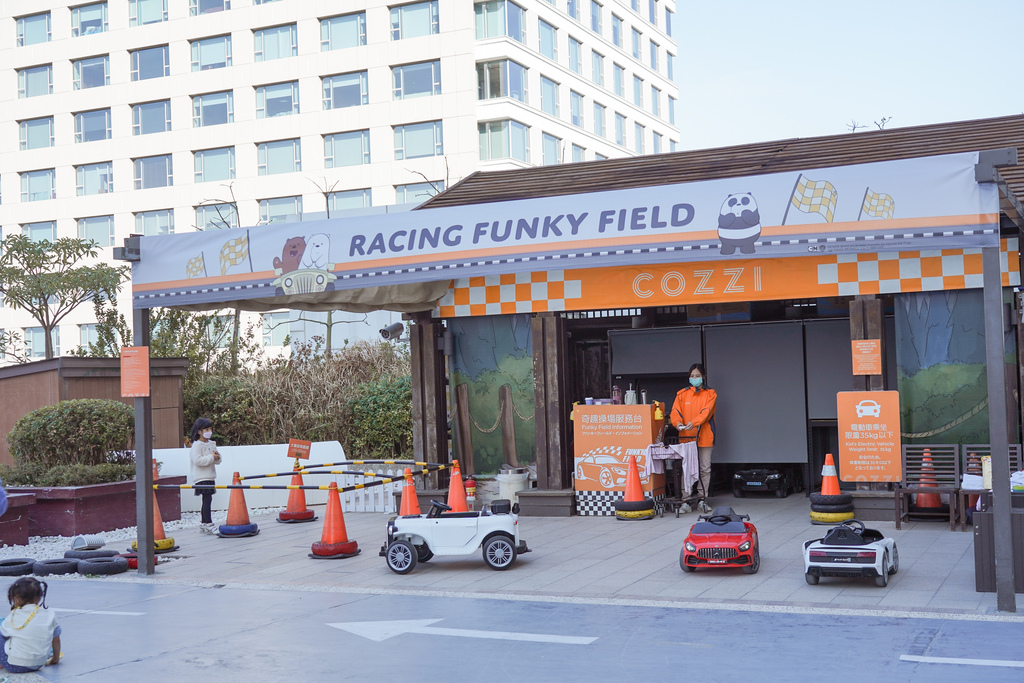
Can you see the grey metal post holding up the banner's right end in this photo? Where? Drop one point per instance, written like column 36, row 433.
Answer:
column 998, row 433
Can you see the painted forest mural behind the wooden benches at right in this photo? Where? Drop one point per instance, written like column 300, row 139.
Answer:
column 941, row 356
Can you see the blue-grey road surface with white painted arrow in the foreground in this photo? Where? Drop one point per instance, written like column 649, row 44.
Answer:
column 157, row 633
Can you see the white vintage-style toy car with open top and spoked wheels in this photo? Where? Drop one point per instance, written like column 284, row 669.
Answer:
column 415, row 539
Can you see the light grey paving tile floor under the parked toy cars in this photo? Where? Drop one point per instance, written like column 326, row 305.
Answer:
column 603, row 559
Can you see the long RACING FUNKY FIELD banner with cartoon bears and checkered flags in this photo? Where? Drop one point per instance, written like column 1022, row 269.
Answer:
column 926, row 203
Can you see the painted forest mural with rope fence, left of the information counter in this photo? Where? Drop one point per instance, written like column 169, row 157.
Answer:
column 493, row 392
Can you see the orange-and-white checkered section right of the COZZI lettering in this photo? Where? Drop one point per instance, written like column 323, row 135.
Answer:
column 916, row 272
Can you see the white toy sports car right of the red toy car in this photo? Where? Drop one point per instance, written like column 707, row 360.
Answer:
column 852, row 551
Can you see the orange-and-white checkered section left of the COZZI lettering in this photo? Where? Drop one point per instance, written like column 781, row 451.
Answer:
column 519, row 293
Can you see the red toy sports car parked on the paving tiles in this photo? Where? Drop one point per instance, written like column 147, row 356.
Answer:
column 722, row 539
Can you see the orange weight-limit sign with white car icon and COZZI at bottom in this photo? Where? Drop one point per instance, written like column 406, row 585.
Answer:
column 870, row 444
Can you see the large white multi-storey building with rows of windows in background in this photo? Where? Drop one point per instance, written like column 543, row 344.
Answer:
column 154, row 116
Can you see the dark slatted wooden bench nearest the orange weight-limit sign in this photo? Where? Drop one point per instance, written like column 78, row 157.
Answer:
column 931, row 468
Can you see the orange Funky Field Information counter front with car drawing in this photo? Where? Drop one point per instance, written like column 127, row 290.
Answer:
column 606, row 438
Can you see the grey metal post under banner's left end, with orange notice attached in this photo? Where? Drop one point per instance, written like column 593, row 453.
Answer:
column 144, row 457
